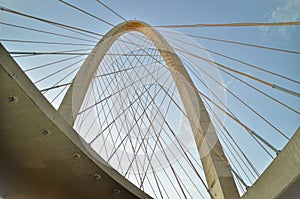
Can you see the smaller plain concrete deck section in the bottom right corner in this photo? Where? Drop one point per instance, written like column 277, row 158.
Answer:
column 282, row 178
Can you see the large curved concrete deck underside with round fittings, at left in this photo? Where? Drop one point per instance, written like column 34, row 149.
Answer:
column 33, row 165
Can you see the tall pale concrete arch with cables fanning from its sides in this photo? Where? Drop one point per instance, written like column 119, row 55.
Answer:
column 218, row 175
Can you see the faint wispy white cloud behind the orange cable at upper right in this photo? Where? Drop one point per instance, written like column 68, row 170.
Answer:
column 290, row 11
